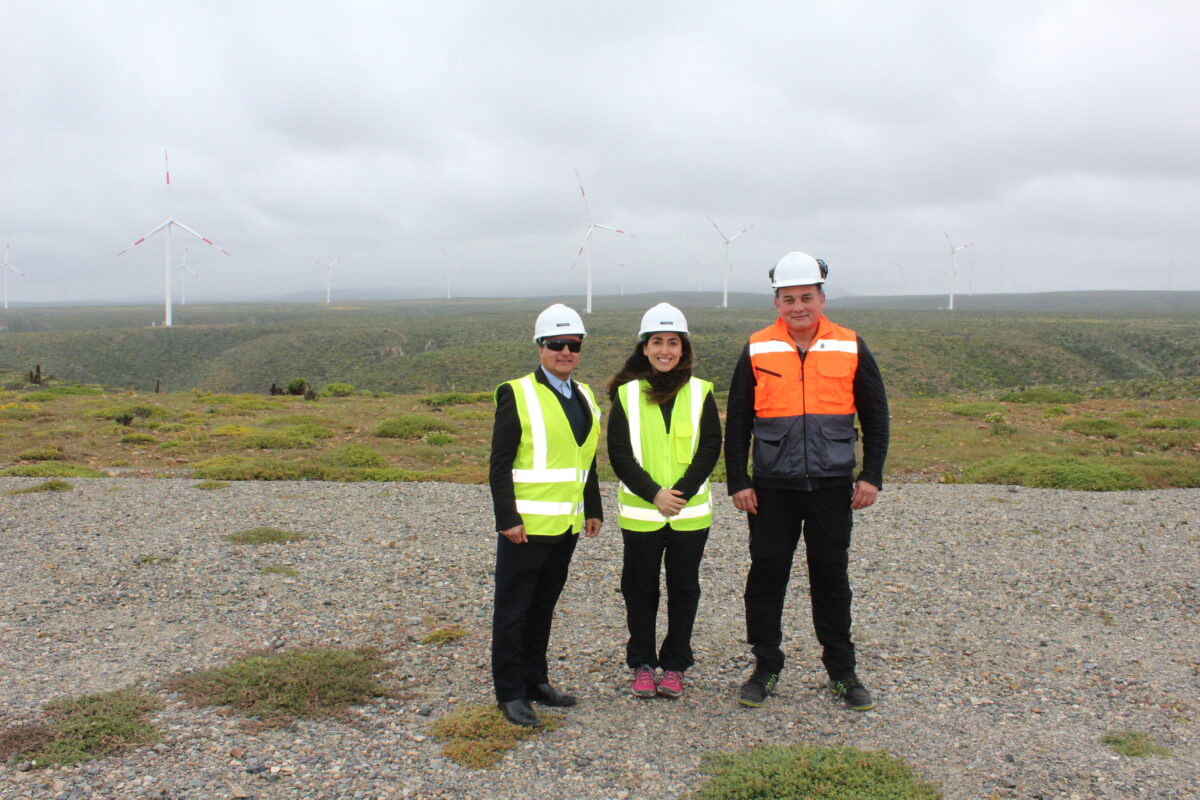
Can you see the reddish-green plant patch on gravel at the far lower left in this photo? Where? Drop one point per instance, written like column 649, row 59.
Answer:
column 83, row 729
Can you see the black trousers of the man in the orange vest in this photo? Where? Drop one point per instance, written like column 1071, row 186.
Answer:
column 824, row 519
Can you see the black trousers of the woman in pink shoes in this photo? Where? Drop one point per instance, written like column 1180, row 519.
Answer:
column 644, row 560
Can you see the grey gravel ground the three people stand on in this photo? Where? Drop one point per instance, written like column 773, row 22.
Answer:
column 1004, row 631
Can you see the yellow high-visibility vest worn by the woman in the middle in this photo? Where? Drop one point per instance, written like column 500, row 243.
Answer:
column 665, row 455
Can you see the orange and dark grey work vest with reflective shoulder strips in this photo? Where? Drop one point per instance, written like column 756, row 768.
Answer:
column 805, row 408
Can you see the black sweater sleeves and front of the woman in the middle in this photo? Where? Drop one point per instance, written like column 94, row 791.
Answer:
column 631, row 473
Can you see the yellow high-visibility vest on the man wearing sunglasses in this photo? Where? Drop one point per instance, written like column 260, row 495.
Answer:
column 551, row 470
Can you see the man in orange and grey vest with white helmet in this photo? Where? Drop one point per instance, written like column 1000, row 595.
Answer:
column 796, row 389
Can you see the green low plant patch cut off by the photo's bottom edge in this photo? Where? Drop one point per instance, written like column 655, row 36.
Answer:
column 812, row 773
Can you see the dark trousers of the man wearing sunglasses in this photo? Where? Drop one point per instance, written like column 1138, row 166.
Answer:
column 530, row 578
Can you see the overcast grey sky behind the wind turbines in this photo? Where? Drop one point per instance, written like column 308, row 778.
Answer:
column 1061, row 139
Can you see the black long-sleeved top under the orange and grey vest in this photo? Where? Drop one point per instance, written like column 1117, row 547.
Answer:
column 871, row 401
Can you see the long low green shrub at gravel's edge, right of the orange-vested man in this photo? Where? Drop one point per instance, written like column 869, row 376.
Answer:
column 1040, row 471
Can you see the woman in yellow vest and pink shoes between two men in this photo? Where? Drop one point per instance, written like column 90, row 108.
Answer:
column 664, row 441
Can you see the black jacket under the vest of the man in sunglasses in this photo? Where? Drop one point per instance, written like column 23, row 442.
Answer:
column 506, row 441
